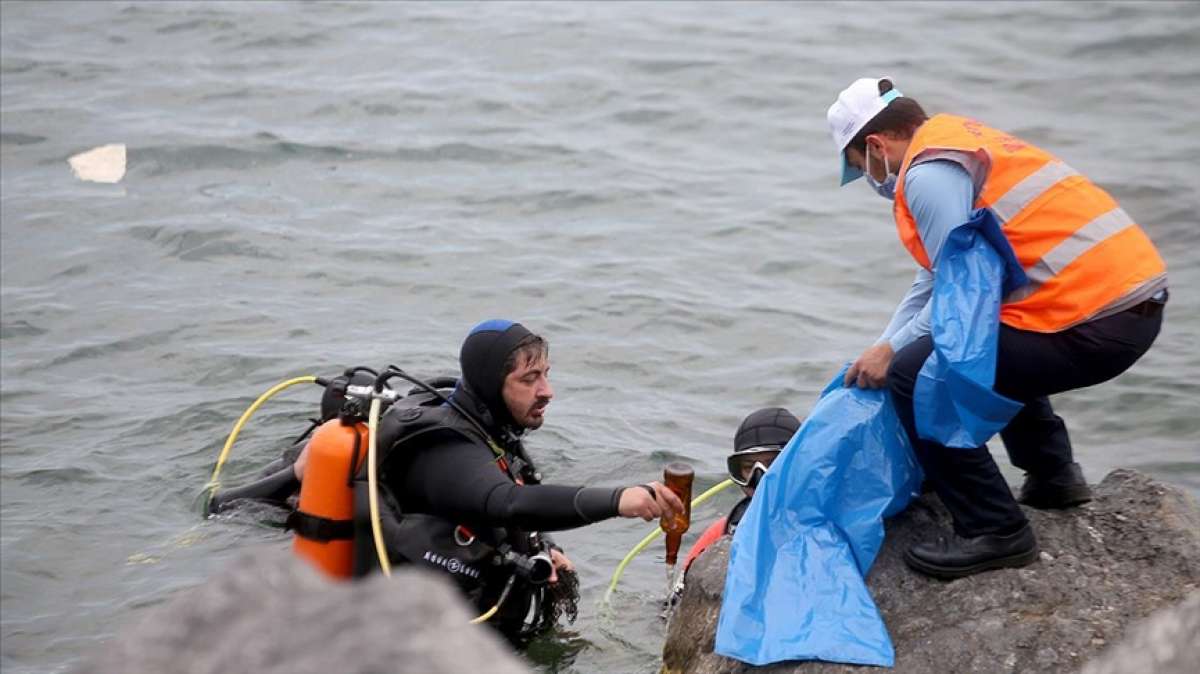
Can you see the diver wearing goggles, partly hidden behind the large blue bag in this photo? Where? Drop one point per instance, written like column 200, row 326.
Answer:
column 761, row 437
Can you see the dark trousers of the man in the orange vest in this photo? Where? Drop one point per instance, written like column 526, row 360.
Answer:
column 1030, row 366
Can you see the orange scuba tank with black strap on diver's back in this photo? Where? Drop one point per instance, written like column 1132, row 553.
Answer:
column 323, row 521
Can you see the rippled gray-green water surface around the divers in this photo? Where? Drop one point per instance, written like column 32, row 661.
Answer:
column 651, row 186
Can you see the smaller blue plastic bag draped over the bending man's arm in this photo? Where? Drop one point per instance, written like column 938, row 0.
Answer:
column 953, row 401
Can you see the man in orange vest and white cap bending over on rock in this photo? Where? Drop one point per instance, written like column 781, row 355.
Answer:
column 1094, row 306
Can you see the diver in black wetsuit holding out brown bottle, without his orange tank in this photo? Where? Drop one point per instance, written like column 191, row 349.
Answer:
column 461, row 494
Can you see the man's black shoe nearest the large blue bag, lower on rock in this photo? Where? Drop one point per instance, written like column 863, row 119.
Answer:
column 958, row 557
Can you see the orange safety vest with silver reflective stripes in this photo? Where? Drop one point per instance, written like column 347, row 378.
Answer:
column 1082, row 252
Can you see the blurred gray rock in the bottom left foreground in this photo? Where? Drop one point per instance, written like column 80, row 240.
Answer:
column 272, row 613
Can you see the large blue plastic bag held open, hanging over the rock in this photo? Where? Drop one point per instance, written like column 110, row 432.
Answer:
column 795, row 588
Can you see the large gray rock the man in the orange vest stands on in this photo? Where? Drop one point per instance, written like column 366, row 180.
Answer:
column 1106, row 565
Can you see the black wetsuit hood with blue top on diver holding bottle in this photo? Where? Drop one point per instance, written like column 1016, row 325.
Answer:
column 482, row 360
